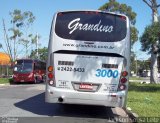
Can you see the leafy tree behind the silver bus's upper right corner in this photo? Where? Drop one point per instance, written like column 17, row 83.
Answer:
column 114, row 6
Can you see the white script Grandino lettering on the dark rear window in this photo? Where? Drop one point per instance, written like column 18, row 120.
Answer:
column 76, row 25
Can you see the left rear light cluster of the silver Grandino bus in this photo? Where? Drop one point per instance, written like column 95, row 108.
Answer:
column 50, row 75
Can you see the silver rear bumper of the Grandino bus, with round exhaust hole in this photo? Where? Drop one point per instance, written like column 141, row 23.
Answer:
column 53, row 94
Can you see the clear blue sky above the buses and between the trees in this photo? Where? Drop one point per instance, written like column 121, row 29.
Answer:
column 44, row 10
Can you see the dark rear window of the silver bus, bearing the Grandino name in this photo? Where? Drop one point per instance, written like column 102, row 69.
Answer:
column 90, row 26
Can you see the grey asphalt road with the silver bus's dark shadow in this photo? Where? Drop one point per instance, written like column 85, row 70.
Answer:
column 24, row 103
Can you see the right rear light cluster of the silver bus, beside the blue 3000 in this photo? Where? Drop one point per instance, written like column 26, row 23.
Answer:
column 123, row 81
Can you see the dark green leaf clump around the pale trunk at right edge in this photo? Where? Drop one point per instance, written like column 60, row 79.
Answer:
column 150, row 36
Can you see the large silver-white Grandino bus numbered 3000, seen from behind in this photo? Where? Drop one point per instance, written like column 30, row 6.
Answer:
column 88, row 59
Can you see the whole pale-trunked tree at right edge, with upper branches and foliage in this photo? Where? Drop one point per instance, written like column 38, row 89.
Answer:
column 151, row 43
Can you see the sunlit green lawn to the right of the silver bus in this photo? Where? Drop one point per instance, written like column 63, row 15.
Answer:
column 144, row 99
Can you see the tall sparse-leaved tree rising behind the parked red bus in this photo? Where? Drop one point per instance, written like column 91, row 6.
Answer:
column 21, row 22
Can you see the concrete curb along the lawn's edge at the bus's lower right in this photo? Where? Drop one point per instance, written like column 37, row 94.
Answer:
column 132, row 115
